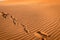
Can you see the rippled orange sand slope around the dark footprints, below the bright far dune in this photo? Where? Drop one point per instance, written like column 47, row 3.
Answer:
column 35, row 17
